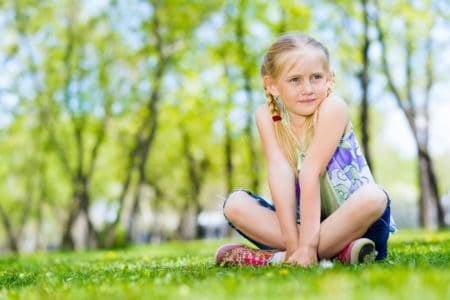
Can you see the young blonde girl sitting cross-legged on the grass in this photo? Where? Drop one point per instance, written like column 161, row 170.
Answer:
column 326, row 203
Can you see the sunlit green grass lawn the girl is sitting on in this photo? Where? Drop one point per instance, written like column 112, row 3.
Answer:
column 418, row 267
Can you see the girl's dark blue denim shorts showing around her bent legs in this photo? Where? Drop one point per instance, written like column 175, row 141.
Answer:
column 378, row 232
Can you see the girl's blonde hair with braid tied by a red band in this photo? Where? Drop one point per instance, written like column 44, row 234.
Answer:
column 272, row 66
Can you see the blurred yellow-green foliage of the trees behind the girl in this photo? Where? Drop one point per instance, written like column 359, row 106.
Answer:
column 93, row 67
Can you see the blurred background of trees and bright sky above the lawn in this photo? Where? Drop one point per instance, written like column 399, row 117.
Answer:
column 129, row 121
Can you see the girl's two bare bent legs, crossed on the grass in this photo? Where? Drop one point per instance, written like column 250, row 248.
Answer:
column 349, row 222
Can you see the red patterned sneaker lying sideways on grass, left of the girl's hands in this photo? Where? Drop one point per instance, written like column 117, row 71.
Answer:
column 242, row 255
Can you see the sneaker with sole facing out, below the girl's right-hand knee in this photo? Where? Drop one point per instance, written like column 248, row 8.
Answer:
column 359, row 251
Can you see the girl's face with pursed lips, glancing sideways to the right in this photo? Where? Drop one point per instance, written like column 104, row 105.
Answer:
column 303, row 82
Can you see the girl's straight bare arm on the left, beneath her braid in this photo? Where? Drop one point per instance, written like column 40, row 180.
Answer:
column 281, row 179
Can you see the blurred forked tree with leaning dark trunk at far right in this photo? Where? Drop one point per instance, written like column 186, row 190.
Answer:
column 415, row 23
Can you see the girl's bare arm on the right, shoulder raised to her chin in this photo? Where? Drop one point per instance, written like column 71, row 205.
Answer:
column 331, row 123
